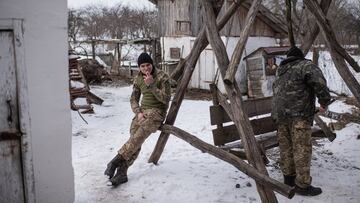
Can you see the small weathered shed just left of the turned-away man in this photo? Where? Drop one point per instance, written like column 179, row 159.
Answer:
column 261, row 67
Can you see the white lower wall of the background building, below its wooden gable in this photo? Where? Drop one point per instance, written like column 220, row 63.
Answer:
column 204, row 71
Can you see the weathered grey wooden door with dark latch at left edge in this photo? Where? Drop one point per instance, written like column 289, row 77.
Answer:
column 11, row 170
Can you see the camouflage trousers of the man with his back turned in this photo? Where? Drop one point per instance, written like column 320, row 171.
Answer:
column 294, row 138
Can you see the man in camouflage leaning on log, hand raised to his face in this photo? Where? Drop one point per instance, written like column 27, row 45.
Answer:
column 154, row 86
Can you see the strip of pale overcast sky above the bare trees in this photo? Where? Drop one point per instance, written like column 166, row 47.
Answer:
column 109, row 3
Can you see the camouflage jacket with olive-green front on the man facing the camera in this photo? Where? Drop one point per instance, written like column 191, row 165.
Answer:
column 157, row 95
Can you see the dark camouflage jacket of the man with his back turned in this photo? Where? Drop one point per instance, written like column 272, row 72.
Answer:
column 297, row 83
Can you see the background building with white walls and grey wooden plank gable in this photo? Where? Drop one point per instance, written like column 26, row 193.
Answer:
column 181, row 21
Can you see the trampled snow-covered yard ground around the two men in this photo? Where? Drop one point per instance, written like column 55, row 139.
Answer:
column 185, row 174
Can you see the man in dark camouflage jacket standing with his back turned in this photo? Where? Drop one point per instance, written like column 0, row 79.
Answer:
column 297, row 83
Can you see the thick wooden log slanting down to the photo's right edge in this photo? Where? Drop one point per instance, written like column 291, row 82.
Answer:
column 333, row 45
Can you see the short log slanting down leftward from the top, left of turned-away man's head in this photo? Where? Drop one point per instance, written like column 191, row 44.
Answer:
column 236, row 57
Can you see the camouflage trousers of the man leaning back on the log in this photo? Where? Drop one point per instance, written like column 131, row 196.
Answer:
column 139, row 131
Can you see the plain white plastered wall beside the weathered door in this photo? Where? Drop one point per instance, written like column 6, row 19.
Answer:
column 46, row 62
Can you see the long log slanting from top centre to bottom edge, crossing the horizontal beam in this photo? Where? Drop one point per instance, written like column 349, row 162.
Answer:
column 241, row 120
